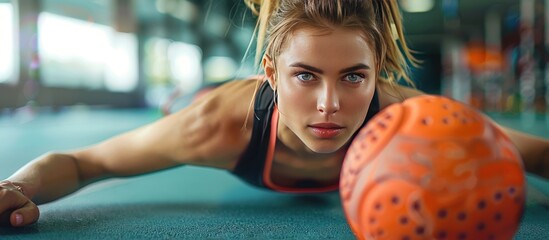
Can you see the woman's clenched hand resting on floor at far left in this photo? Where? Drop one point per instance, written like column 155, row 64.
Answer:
column 16, row 209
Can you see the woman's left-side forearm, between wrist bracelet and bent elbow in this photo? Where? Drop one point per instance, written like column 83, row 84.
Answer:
column 49, row 177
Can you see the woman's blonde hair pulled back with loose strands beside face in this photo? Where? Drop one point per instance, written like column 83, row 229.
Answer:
column 379, row 21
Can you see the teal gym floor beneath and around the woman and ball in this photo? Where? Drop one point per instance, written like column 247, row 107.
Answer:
column 188, row 202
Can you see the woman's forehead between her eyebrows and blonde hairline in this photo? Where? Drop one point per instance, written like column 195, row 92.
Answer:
column 339, row 46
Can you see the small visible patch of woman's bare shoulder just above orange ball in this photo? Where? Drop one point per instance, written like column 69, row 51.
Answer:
column 394, row 93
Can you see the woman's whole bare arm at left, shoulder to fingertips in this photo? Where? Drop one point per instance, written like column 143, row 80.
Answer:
column 206, row 134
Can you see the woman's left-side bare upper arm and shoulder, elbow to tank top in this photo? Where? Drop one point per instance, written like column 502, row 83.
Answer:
column 212, row 131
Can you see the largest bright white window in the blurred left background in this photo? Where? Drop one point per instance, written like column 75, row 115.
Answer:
column 80, row 54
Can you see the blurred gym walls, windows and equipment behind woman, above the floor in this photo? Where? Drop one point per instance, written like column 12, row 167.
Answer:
column 61, row 54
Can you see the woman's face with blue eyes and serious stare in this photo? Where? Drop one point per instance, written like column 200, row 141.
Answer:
column 325, row 83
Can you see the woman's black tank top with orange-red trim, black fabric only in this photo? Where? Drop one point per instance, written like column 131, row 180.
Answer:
column 252, row 162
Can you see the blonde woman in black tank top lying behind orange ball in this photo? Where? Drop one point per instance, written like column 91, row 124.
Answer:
column 329, row 66
